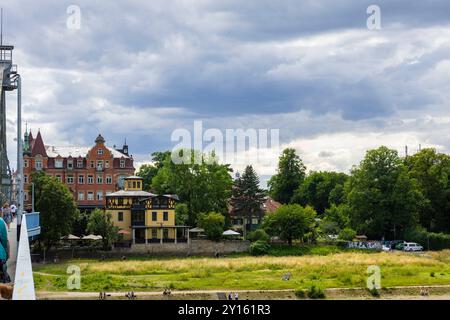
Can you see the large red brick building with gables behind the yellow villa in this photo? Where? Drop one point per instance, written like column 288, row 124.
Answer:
column 90, row 172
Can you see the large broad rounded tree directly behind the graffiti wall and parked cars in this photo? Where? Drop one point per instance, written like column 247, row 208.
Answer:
column 384, row 200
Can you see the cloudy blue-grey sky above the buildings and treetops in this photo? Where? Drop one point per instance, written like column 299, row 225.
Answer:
column 141, row 69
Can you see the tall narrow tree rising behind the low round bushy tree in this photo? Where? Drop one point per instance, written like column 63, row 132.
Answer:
column 291, row 172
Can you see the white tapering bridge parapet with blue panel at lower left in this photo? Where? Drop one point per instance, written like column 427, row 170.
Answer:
column 24, row 282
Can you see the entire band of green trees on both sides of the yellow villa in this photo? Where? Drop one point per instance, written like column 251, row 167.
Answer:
column 385, row 196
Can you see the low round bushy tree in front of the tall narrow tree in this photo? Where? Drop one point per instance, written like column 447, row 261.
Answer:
column 290, row 222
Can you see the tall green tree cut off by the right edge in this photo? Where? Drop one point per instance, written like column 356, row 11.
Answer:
column 432, row 172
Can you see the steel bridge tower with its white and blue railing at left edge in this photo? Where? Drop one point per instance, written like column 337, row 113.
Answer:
column 26, row 225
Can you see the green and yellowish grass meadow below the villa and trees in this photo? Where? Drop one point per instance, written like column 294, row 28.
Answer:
column 334, row 270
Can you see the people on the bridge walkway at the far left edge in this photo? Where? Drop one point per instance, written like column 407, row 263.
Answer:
column 7, row 214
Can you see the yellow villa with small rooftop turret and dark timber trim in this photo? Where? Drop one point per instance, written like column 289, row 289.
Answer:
column 144, row 217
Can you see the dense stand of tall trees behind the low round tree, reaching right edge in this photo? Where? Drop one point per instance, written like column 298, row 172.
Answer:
column 385, row 196
